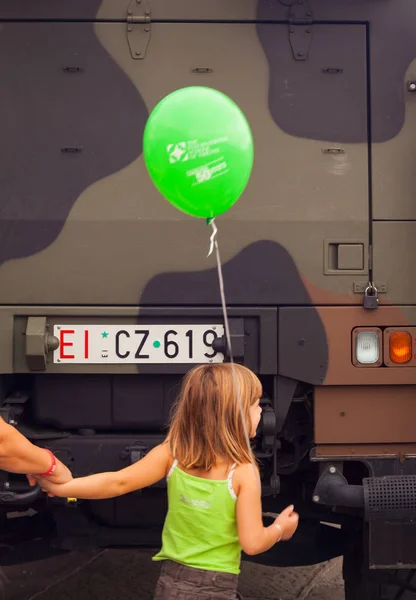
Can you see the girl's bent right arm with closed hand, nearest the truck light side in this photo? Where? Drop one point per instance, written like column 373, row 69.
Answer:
column 254, row 537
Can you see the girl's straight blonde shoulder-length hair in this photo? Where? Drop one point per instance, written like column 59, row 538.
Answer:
column 206, row 422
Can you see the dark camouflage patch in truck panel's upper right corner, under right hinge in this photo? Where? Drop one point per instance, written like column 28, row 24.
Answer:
column 308, row 102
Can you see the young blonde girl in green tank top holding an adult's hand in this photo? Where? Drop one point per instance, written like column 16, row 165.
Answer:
column 214, row 490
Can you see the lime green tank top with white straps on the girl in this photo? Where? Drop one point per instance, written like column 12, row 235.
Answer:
column 200, row 530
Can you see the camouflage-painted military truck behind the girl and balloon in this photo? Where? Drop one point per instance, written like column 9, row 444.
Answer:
column 107, row 297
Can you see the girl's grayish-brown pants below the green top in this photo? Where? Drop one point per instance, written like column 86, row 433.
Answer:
column 177, row 582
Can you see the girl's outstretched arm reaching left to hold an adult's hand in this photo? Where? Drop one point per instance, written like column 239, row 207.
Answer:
column 151, row 469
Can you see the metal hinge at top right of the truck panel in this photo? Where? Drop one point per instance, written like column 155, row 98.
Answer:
column 300, row 27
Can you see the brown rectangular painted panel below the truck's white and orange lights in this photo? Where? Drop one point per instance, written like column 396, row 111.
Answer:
column 365, row 415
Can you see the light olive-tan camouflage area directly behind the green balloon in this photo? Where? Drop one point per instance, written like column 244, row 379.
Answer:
column 121, row 220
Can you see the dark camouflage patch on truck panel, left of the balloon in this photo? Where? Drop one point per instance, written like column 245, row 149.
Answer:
column 45, row 109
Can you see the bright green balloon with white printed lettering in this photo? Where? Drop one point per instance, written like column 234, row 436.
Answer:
column 198, row 150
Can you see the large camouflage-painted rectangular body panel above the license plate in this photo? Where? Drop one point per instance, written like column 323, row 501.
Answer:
column 88, row 227
